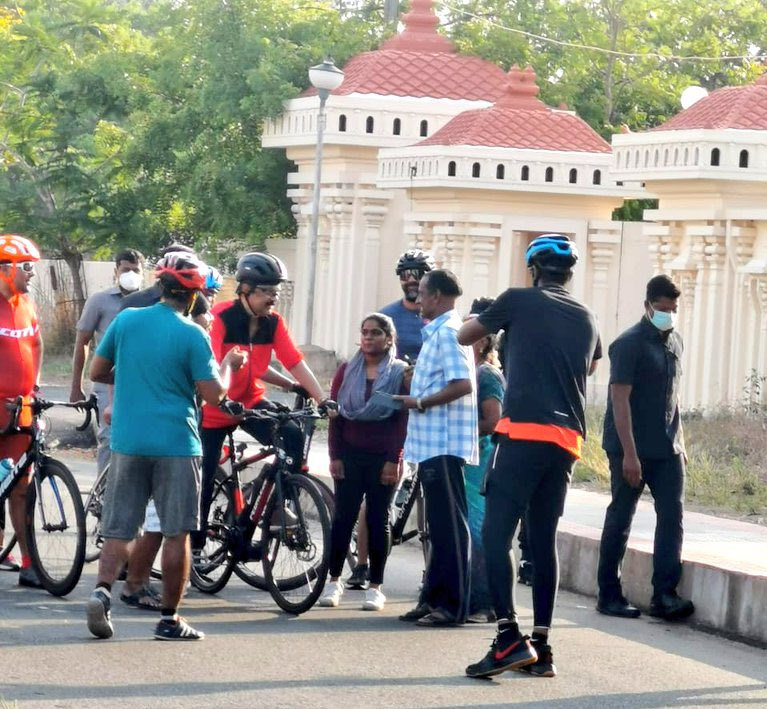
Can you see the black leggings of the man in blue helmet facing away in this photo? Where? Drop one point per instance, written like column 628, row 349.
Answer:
column 525, row 476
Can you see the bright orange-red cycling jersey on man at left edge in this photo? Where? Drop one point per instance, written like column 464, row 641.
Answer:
column 19, row 356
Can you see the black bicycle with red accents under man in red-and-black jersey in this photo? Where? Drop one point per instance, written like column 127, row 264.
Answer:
column 283, row 522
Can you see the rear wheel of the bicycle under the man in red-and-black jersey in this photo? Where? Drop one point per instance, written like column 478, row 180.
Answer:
column 212, row 571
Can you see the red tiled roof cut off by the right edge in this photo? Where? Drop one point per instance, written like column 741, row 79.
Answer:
column 738, row 107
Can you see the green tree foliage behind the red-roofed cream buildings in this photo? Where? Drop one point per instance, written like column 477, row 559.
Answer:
column 133, row 123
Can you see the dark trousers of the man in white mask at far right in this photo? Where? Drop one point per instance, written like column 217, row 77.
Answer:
column 665, row 478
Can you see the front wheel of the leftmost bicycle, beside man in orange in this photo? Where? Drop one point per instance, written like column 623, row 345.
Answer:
column 56, row 527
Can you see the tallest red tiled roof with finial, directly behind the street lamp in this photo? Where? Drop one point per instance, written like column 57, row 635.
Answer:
column 419, row 62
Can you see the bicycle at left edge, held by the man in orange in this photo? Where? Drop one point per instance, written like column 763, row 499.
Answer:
column 55, row 519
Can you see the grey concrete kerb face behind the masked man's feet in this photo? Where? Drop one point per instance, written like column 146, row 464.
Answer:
column 729, row 600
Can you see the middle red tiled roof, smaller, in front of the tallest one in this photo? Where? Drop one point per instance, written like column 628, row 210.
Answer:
column 520, row 120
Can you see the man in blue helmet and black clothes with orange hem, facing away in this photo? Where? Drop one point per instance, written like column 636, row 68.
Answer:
column 552, row 347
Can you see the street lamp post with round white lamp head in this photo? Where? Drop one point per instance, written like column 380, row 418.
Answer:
column 325, row 77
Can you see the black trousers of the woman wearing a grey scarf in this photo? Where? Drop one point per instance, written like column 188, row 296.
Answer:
column 362, row 478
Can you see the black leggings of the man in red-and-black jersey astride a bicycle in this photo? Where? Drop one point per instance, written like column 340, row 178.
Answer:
column 213, row 439
